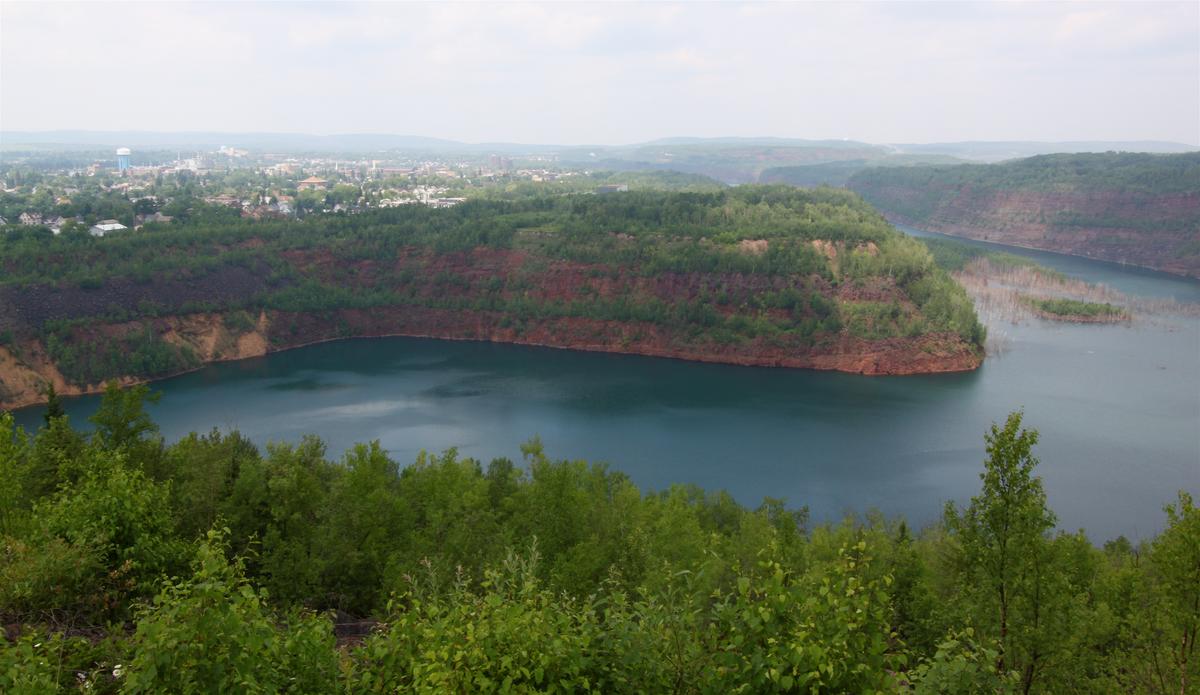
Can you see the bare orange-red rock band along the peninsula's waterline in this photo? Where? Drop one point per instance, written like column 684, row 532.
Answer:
column 26, row 368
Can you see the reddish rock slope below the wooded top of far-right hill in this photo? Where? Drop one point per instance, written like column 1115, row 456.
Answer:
column 1159, row 232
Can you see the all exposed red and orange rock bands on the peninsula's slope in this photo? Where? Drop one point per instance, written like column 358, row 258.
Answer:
column 463, row 278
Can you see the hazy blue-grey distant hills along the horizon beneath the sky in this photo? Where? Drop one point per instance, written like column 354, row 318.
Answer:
column 731, row 160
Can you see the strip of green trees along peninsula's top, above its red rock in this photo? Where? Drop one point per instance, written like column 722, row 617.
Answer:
column 653, row 218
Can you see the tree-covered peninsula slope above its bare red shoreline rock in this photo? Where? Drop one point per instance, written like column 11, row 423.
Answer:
column 757, row 263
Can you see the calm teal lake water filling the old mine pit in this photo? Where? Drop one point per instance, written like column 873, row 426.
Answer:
column 1118, row 409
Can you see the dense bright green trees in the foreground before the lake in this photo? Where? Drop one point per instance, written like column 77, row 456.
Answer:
column 205, row 566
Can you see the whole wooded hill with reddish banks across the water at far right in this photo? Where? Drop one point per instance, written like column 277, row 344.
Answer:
column 1124, row 207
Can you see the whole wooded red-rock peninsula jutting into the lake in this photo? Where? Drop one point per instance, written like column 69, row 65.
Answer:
column 758, row 275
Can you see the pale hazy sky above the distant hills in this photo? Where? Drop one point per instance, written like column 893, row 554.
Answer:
column 610, row 74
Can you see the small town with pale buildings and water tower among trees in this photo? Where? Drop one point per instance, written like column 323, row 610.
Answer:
column 135, row 189
